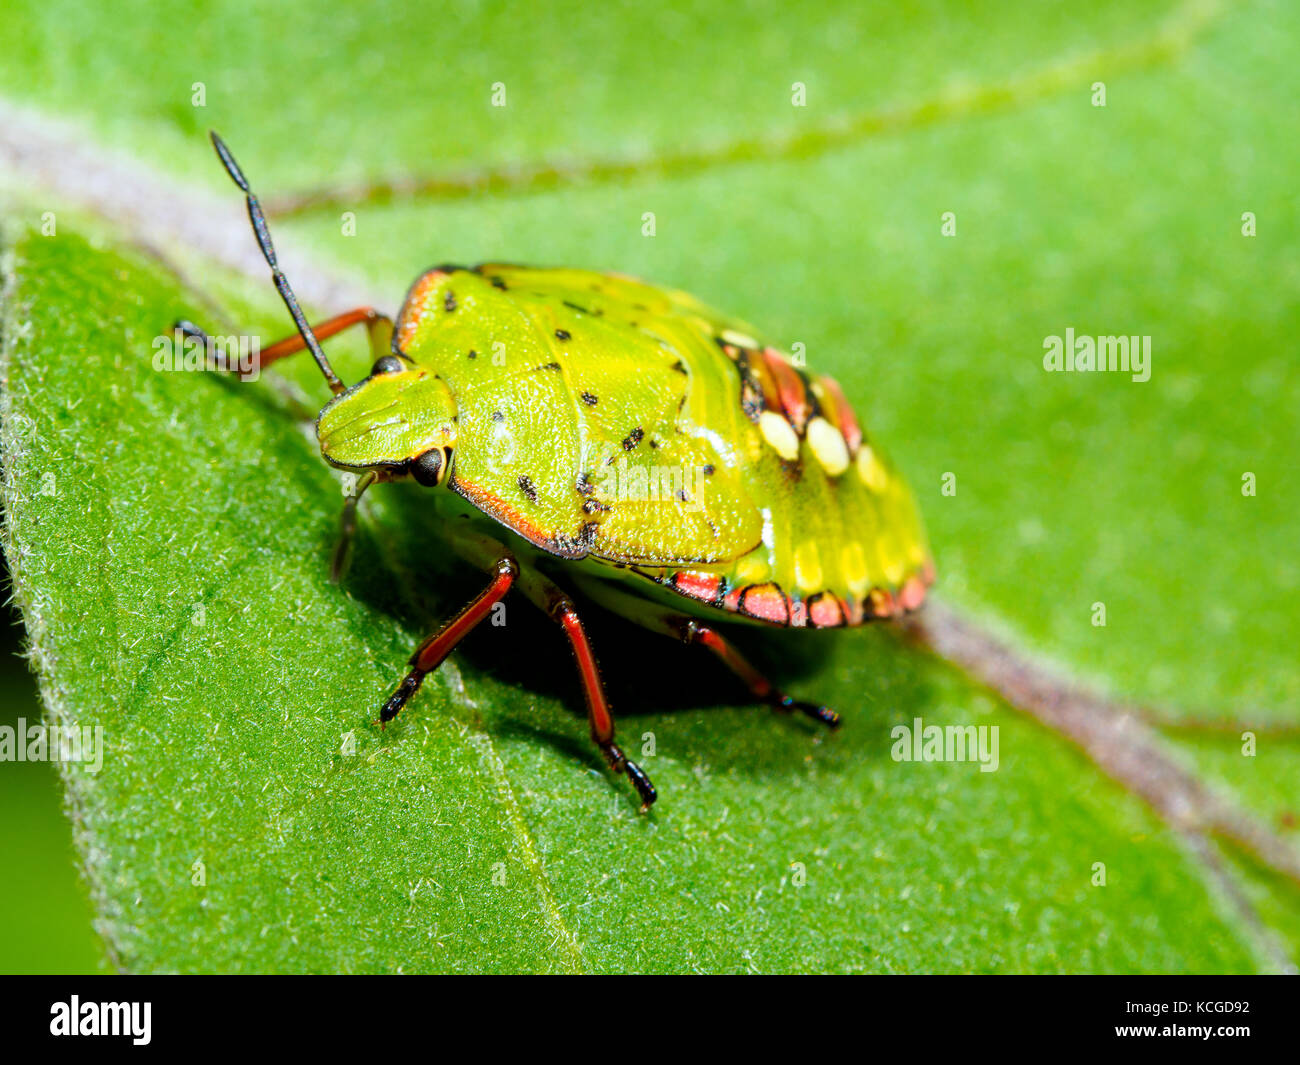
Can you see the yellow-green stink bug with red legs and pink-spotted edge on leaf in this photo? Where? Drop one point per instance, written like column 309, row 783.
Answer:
column 622, row 439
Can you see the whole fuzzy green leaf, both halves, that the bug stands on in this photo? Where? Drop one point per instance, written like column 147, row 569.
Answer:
column 170, row 534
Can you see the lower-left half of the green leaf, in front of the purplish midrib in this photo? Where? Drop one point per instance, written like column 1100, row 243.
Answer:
column 174, row 574
